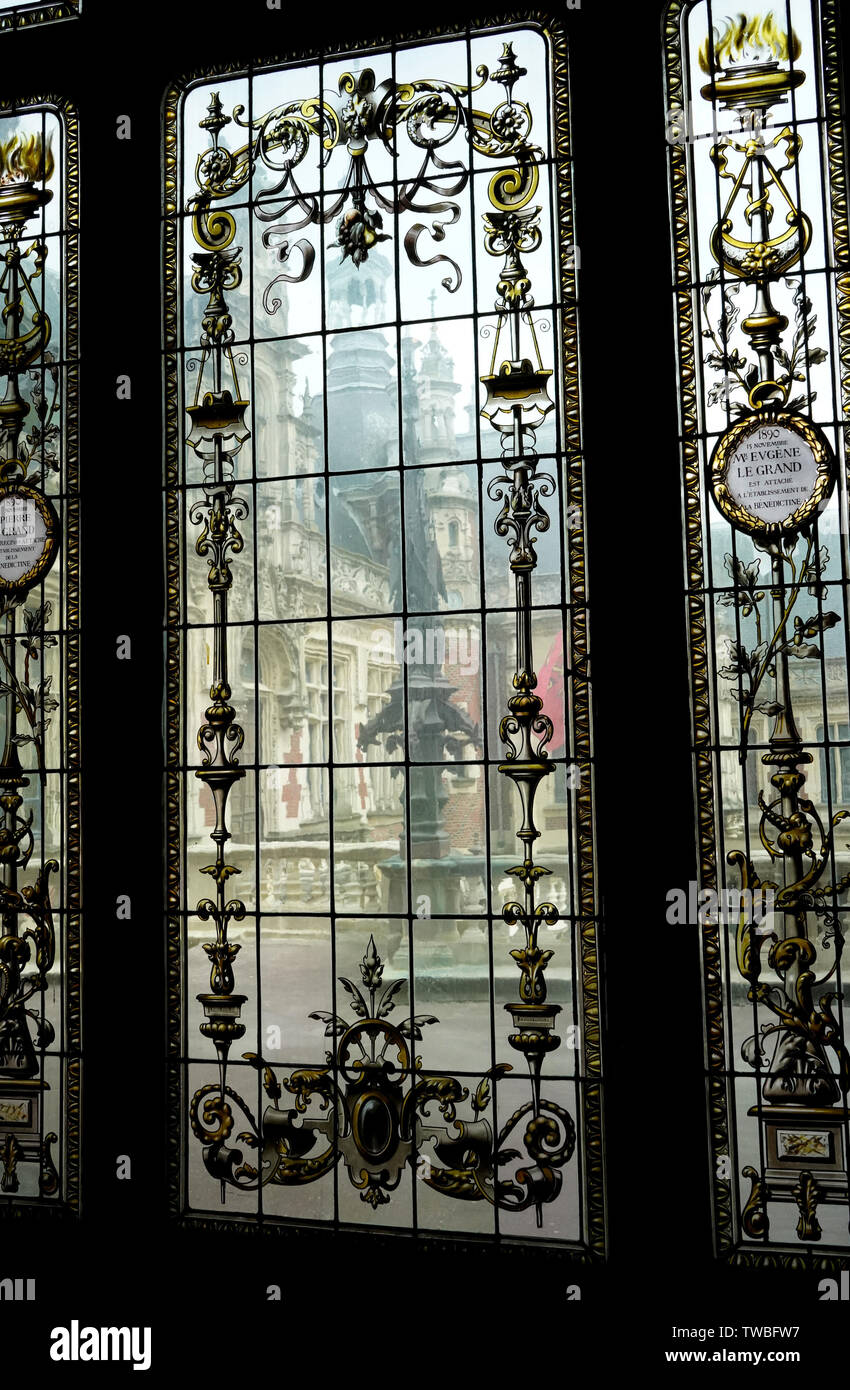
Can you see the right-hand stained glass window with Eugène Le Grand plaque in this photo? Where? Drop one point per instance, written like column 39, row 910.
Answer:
column 760, row 281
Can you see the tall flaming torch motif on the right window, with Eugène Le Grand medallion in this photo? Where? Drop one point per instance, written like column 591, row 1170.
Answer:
column 799, row 1088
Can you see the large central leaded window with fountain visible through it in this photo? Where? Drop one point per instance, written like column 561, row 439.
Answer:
column 384, row 918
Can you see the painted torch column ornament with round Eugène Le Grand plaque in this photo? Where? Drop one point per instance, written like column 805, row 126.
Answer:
column 772, row 475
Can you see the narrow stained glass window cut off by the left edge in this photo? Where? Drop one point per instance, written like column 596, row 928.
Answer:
column 40, row 769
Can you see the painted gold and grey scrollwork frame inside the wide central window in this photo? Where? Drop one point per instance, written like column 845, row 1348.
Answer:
column 373, row 1107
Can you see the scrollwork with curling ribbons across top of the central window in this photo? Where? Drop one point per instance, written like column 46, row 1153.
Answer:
column 430, row 113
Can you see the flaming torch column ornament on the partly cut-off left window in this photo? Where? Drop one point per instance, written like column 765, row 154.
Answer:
column 31, row 539
